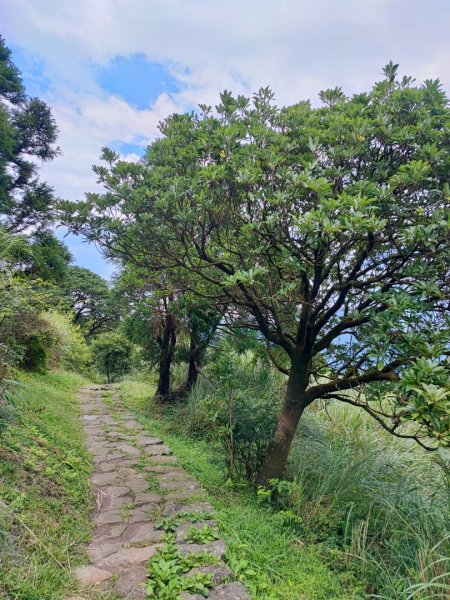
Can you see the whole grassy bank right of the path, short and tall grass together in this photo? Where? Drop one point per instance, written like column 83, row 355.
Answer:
column 365, row 516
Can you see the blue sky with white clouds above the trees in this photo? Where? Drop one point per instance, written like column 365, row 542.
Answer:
column 113, row 69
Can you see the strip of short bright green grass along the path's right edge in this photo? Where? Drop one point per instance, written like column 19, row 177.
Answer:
column 266, row 554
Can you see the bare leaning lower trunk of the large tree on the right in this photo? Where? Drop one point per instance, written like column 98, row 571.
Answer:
column 294, row 404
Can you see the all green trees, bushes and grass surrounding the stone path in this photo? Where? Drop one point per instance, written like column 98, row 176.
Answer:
column 279, row 316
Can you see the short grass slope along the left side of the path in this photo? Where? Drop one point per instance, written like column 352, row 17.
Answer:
column 44, row 489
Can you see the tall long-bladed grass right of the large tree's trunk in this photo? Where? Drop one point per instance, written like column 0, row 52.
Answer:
column 385, row 502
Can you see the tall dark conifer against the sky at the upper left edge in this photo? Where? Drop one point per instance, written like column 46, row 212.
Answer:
column 28, row 135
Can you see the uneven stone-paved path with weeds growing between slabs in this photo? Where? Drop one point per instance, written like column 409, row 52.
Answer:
column 138, row 485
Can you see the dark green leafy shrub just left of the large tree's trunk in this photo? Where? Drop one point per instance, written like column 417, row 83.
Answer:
column 236, row 402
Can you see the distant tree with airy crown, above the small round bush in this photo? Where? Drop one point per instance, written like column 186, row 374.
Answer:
column 89, row 297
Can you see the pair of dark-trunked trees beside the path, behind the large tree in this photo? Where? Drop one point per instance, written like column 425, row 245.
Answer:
column 169, row 324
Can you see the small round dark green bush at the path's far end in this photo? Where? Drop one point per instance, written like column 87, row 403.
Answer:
column 111, row 354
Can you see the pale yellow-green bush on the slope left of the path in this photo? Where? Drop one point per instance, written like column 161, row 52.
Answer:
column 71, row 350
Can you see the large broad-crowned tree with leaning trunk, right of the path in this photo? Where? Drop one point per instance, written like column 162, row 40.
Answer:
column 326, row 229
